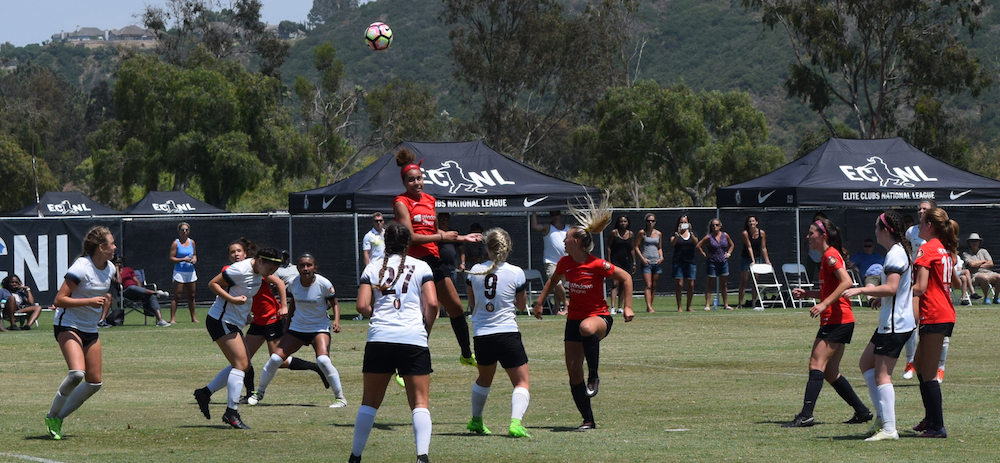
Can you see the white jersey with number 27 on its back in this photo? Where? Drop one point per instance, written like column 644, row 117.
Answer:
column 398, row 315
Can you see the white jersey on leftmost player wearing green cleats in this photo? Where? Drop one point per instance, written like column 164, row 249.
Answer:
column 90, row 282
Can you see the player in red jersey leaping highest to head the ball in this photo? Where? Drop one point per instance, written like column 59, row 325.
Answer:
column 416, row 210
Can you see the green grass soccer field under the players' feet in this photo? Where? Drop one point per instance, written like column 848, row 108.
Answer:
column 702, row 386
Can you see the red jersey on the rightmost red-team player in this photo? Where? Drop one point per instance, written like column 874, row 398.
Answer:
column 935, row 303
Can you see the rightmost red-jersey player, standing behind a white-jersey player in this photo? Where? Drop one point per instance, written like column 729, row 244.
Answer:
column 934, row 265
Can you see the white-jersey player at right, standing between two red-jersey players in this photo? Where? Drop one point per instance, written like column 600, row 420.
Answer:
column 895, row 324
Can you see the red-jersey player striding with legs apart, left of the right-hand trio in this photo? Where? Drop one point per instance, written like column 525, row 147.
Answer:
column 836, row 326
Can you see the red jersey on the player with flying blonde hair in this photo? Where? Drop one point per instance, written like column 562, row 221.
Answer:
column 585, row 284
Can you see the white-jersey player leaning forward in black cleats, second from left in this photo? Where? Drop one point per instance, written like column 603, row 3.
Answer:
column 234, row 289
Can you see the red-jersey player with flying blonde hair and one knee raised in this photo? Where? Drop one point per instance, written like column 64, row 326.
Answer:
column 588, row 320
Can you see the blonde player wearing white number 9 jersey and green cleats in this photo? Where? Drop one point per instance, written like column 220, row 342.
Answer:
column 496, row 291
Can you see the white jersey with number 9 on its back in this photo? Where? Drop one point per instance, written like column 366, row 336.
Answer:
column 494, row 310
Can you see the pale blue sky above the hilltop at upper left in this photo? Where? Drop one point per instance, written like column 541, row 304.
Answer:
column 32, row 21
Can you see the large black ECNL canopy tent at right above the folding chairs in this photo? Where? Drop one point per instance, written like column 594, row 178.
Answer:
column 861, row 174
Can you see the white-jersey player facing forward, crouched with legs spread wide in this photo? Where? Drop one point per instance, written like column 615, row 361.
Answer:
column 312, row 297
